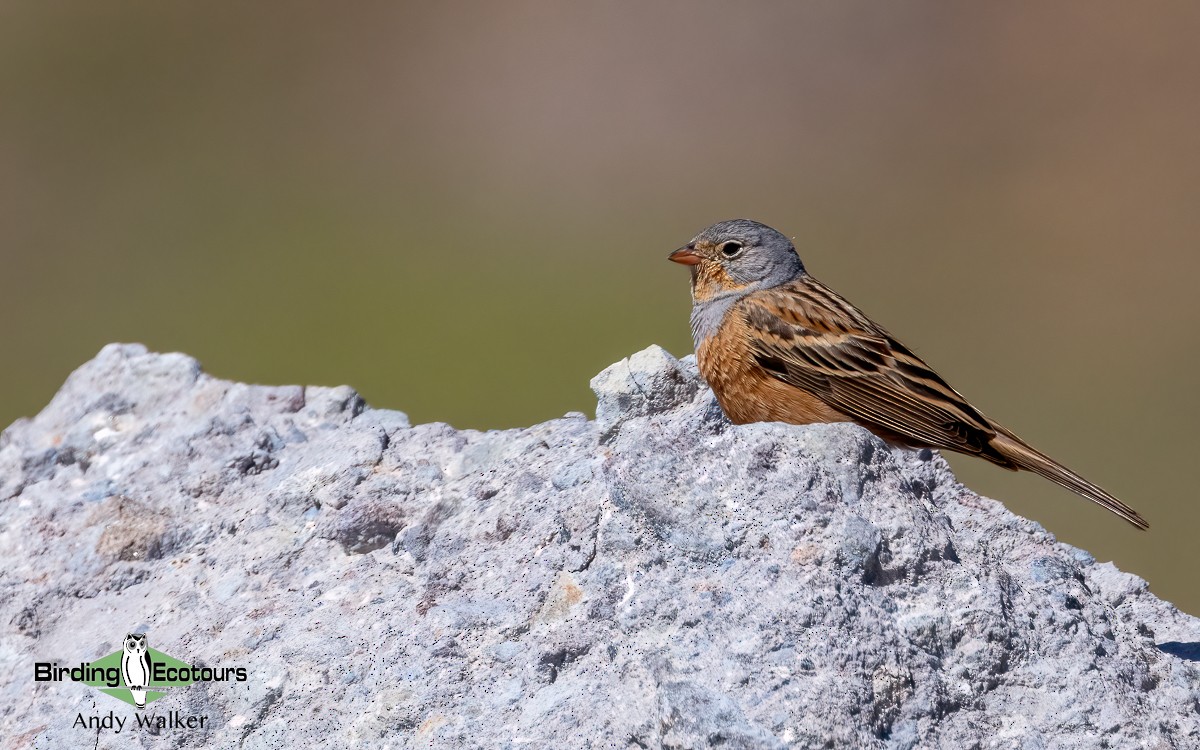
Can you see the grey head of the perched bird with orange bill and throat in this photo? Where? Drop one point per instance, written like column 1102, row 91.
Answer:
column 739, row 256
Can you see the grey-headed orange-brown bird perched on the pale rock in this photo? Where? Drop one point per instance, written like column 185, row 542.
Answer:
column 777, row 345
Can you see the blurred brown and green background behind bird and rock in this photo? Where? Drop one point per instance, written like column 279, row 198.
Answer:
column 464, row 211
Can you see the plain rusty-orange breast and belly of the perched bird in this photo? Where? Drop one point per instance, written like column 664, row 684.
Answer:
column 748, row 393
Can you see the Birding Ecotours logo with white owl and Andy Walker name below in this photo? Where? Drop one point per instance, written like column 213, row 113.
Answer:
column 139, row 676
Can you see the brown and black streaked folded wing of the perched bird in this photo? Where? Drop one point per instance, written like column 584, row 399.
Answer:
column 808, row 337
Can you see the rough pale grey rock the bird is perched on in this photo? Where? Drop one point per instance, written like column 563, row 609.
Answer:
column 655, row 579
